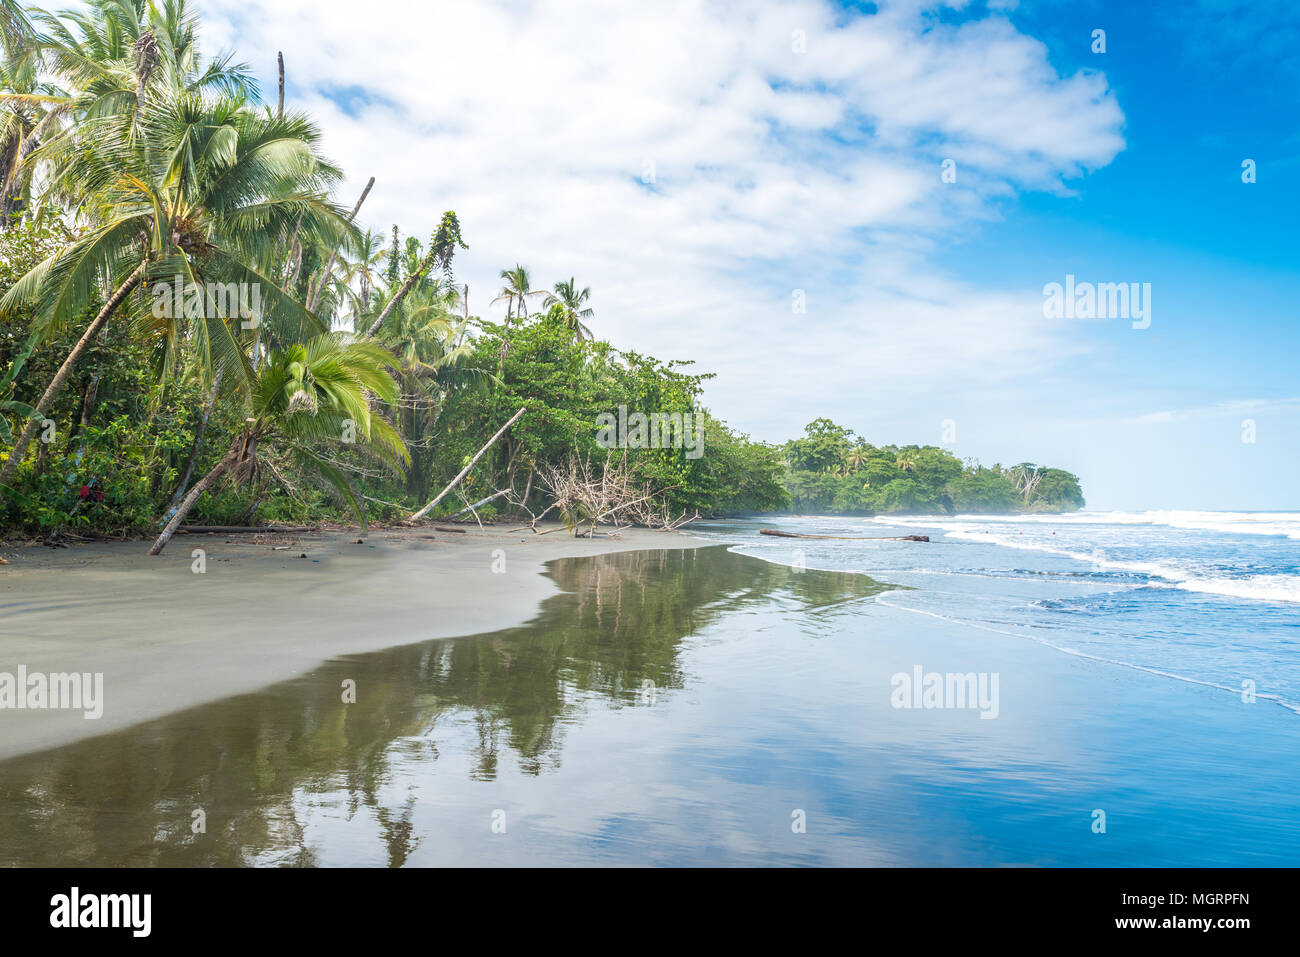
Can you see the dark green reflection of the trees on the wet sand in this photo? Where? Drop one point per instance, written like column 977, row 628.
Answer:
column 253, row 765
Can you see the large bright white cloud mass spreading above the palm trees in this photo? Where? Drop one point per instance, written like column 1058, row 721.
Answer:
column 774, row 171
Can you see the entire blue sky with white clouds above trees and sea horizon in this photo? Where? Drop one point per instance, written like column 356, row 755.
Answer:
column 710, row 168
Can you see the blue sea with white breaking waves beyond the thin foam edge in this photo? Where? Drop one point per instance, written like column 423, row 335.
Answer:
column 1194, row 596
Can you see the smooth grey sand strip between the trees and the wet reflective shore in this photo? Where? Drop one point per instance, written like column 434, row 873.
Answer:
column 167, row 638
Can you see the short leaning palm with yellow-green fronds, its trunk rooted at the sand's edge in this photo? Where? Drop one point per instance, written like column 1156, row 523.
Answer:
column 304, row 397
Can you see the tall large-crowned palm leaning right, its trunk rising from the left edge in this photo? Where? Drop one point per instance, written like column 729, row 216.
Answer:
column 190, row 189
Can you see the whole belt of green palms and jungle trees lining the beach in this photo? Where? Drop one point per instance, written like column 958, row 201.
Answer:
column 148, row 189
